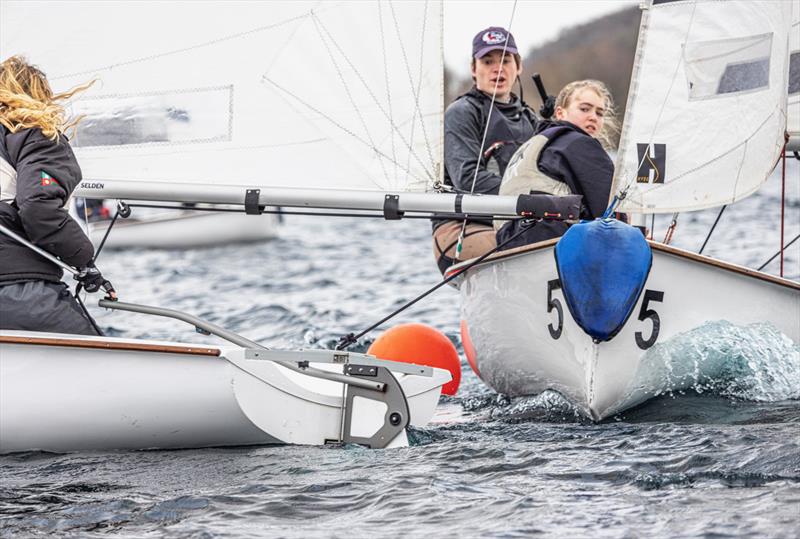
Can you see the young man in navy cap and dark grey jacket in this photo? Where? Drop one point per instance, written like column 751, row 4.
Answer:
column 489, row 107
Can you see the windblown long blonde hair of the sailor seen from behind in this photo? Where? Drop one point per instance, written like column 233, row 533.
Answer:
column 27, row 101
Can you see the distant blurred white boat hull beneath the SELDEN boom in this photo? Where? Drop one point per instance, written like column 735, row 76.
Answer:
column 187, row 229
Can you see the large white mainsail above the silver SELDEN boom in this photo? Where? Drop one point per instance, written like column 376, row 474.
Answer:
column 284, row 94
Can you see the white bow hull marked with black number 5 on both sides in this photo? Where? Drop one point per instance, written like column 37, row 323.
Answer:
column 505, row 308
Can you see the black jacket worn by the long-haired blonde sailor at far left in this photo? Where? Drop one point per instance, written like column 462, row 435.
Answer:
column 46, row 174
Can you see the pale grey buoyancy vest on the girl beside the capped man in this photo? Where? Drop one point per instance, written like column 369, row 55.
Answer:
column 523, row 175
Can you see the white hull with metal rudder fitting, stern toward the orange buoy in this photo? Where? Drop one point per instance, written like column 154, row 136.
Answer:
column 74, row 393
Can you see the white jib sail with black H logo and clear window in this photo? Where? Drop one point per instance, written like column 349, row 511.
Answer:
column 706, row 118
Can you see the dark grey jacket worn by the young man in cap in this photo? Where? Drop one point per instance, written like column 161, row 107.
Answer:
column 510, row 124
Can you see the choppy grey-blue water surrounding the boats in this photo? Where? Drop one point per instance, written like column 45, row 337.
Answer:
column 720, row 461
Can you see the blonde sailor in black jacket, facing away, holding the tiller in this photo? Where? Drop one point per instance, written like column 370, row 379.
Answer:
column 38, row 173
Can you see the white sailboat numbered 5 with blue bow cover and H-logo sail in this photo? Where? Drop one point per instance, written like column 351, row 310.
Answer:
column 704, row 127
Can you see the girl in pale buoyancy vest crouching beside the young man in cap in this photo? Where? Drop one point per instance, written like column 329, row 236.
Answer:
column 565, row 156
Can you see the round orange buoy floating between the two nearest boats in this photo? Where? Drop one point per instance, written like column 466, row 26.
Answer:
column 421, row 345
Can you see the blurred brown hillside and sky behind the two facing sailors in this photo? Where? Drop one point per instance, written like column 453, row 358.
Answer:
column 601, row 49
